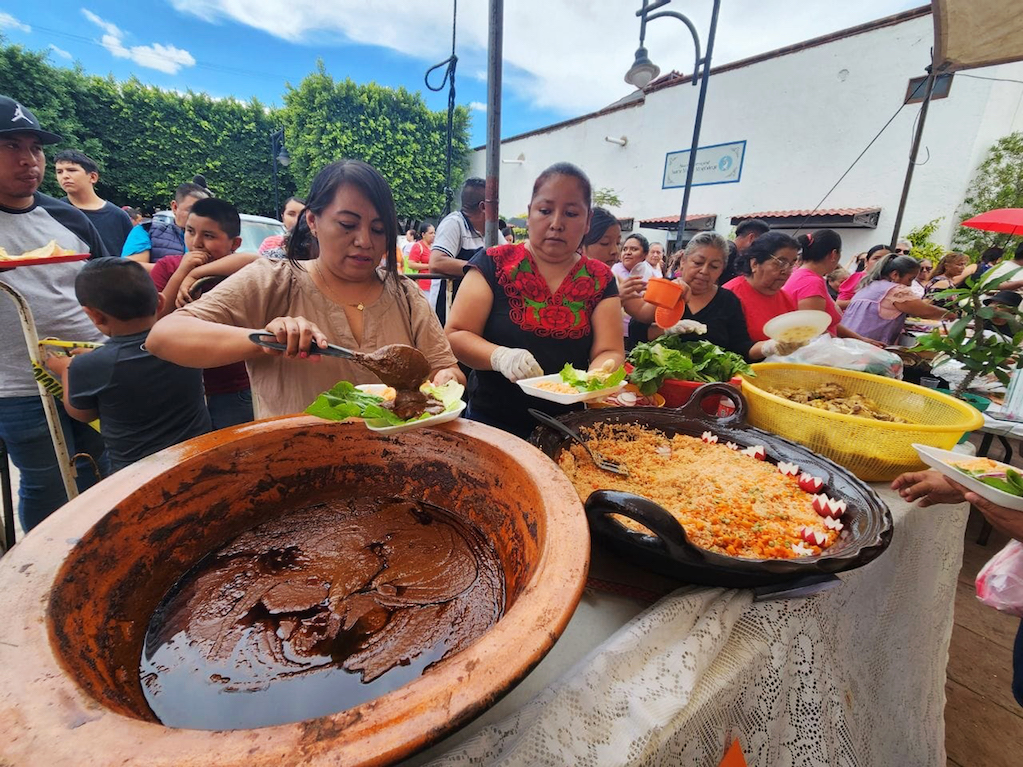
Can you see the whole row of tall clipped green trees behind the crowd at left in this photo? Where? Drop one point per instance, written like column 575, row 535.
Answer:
column 148, row 141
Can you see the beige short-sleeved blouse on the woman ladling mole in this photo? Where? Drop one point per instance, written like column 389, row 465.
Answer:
column 266, row 290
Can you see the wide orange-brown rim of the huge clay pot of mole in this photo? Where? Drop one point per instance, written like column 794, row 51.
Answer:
column 54, row 711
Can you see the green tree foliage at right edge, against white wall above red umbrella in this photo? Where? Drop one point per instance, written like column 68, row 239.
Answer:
column 999, row 184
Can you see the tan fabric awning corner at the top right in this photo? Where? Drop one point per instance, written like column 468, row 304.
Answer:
column 976, row 33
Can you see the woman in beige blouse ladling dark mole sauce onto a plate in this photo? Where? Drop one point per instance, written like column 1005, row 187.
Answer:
column 339, row 297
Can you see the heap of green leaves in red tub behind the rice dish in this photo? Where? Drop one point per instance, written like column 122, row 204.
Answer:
column 669, row 357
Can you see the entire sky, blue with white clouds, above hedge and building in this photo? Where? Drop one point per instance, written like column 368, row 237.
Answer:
column 563, row 59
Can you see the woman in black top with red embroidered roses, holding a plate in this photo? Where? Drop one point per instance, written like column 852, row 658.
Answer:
column 527, row 309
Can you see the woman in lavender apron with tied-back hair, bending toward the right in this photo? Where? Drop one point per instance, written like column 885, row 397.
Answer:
column 880, row 307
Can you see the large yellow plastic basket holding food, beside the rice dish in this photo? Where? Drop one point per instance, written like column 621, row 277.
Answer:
column 875, row 452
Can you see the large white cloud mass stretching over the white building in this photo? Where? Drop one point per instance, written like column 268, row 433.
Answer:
column 569, row 57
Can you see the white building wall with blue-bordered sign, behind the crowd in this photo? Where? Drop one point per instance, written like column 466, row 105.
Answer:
column 806, row 117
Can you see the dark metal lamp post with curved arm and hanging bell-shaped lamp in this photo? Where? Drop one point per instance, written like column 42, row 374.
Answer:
column 644, row 71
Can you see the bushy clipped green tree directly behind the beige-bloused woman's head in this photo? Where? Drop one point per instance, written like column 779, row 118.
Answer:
column 392, row 130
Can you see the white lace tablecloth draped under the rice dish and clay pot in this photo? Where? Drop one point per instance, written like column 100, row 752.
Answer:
column 852, row 676
